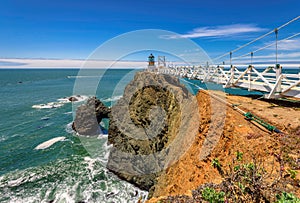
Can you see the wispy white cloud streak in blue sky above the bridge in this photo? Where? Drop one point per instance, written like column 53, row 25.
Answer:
column 219, row 31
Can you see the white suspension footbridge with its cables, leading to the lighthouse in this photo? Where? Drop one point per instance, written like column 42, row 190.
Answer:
column 271, row 80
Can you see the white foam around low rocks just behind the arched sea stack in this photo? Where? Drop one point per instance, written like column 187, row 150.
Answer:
column 60, row 102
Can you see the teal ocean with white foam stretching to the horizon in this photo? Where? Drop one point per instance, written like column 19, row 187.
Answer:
column 72, row 169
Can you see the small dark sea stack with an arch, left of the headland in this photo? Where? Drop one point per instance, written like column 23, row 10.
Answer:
column 88, row 117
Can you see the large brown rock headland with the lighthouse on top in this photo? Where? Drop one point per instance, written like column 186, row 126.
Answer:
column 150, row 127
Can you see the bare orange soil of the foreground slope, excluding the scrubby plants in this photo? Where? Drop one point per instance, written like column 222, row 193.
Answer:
column 237, row 134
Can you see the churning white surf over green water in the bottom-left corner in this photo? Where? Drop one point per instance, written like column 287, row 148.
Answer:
column 84, row 180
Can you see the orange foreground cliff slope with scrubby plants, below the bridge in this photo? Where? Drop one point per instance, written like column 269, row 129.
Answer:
column 185, row 180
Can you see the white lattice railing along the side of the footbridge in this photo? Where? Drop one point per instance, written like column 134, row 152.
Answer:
column 270, row 79
